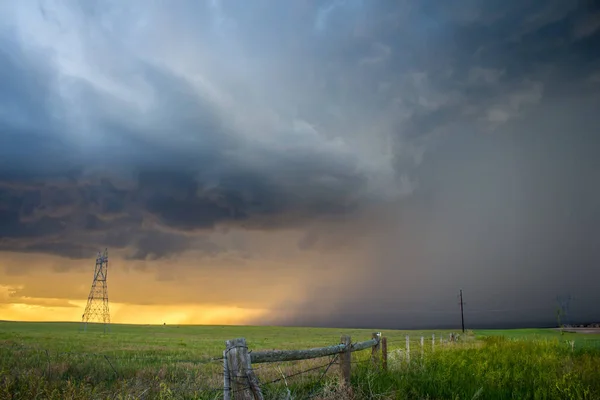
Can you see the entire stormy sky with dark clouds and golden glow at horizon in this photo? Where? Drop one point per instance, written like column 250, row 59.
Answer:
column 334, row 163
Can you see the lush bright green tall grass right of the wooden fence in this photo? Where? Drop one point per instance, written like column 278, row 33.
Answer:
column 494, row 368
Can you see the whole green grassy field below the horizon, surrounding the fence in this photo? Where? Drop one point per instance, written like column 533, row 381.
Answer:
column 58, row 361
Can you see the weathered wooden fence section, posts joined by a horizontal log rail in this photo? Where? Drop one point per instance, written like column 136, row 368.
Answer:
column 240, row 382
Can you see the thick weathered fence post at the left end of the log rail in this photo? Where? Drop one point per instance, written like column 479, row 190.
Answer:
column 245, row 384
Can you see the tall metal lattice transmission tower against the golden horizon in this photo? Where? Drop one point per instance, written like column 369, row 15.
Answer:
column 97, row 309
